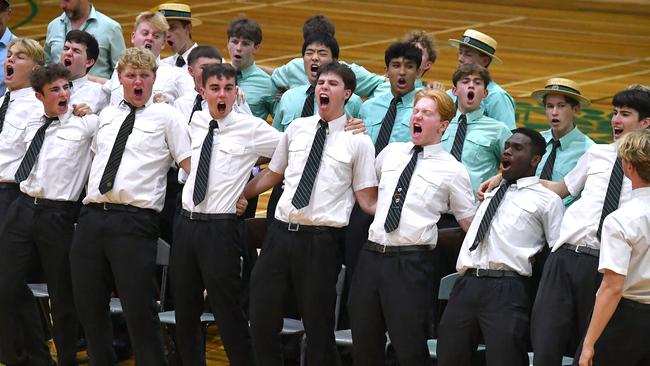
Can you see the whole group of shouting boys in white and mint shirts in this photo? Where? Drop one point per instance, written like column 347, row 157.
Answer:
column 373, row 201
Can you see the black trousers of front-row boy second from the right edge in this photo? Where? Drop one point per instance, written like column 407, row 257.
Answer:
column 563, row 305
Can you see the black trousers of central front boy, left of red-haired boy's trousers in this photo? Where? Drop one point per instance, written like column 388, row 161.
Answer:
column 310, row 262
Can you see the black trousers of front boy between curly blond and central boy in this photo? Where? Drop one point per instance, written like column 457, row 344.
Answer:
column 206, row 255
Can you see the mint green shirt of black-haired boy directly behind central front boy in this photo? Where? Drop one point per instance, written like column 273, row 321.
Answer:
column 290, row 107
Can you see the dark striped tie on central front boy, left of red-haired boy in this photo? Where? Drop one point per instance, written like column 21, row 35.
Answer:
column 303, row 192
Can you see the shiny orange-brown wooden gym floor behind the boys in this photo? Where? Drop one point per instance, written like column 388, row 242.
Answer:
column 602, row 44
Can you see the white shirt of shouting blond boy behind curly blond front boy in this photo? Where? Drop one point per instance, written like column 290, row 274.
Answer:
column 171, row 81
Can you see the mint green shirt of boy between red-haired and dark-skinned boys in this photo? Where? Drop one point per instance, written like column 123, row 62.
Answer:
column 485, row 139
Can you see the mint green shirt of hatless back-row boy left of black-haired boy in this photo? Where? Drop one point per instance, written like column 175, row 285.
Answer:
column 259, row 90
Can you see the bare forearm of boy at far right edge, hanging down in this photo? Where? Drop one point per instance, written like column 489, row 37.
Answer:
column 609, row 295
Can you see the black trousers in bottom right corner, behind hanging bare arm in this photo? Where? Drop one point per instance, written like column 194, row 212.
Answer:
column 624, row 340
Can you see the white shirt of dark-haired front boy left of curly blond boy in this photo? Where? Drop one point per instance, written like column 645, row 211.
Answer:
column 61, row 170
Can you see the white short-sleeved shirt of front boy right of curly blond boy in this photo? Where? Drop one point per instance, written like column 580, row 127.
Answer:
column 237, row 144
